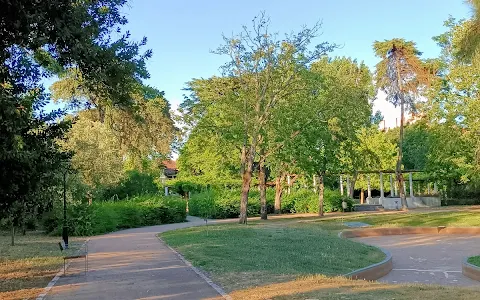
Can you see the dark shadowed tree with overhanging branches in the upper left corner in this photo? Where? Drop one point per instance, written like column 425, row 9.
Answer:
column 72, row 33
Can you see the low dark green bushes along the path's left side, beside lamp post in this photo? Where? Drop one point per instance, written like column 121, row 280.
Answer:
column 108, row 216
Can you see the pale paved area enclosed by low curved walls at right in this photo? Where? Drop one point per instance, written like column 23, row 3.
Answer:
column 427, row 259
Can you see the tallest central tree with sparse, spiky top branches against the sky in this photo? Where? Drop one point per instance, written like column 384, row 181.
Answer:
column 265, row 69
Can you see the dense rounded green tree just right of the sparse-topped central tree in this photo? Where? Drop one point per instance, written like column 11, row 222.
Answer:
column 329, row 117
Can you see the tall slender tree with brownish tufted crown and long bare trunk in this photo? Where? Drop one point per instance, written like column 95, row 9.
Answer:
column 402, row 76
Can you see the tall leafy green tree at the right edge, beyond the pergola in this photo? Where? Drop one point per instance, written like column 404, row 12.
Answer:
column 453, row 109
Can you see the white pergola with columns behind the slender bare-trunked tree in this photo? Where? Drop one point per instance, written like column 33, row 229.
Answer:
column 393, row 201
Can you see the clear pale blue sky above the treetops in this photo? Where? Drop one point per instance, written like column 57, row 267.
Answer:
column 181, row 33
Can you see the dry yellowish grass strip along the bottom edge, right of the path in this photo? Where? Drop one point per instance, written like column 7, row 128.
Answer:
column 339, row 288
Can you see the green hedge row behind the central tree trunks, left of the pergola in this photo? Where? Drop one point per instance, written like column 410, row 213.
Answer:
column 225, row 203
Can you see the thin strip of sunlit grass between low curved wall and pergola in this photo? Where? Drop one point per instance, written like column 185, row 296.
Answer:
column 452, row 219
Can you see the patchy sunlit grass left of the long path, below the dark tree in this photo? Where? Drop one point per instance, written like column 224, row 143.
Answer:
column 27, row 267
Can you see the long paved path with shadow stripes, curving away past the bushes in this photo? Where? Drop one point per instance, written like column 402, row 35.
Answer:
column 133, row 264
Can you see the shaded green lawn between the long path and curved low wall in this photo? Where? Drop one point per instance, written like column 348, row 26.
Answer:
column 239, row 256
